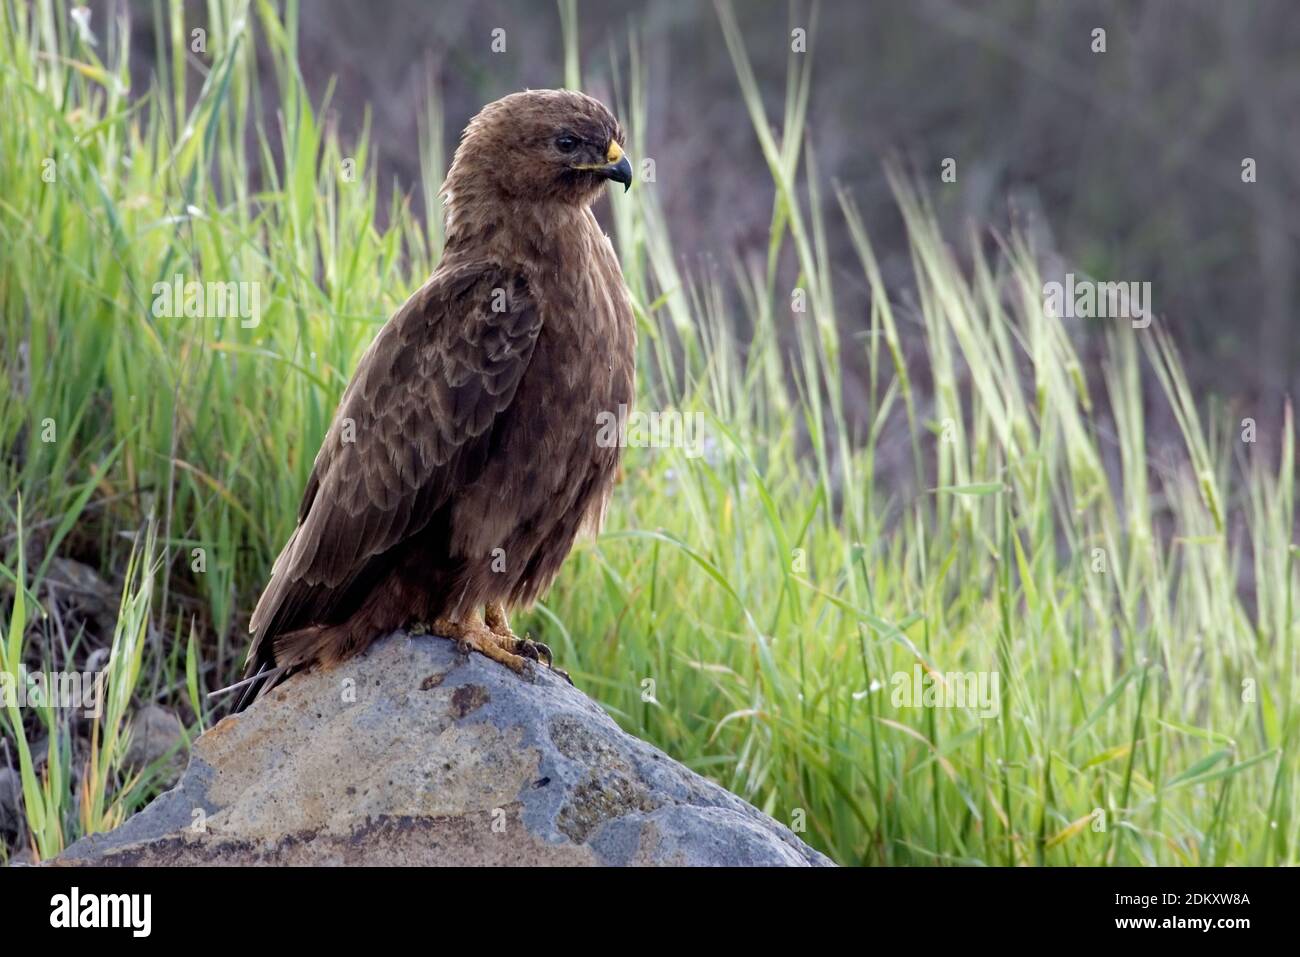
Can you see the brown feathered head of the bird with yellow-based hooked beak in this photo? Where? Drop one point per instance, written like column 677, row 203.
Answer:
column 541, row 146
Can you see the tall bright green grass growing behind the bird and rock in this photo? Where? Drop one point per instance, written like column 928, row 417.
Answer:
column 746, row 610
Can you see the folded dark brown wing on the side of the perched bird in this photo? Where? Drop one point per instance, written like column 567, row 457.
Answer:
column 411, row 427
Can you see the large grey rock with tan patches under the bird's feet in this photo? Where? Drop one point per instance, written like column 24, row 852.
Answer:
column 417, row 755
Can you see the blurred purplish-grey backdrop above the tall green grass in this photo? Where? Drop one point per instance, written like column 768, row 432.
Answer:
column 1126, row 163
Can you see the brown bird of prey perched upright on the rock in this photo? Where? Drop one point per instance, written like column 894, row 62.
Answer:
column 463, row 461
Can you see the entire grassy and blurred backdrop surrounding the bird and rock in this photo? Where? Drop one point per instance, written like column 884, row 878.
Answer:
column 920, row 470
